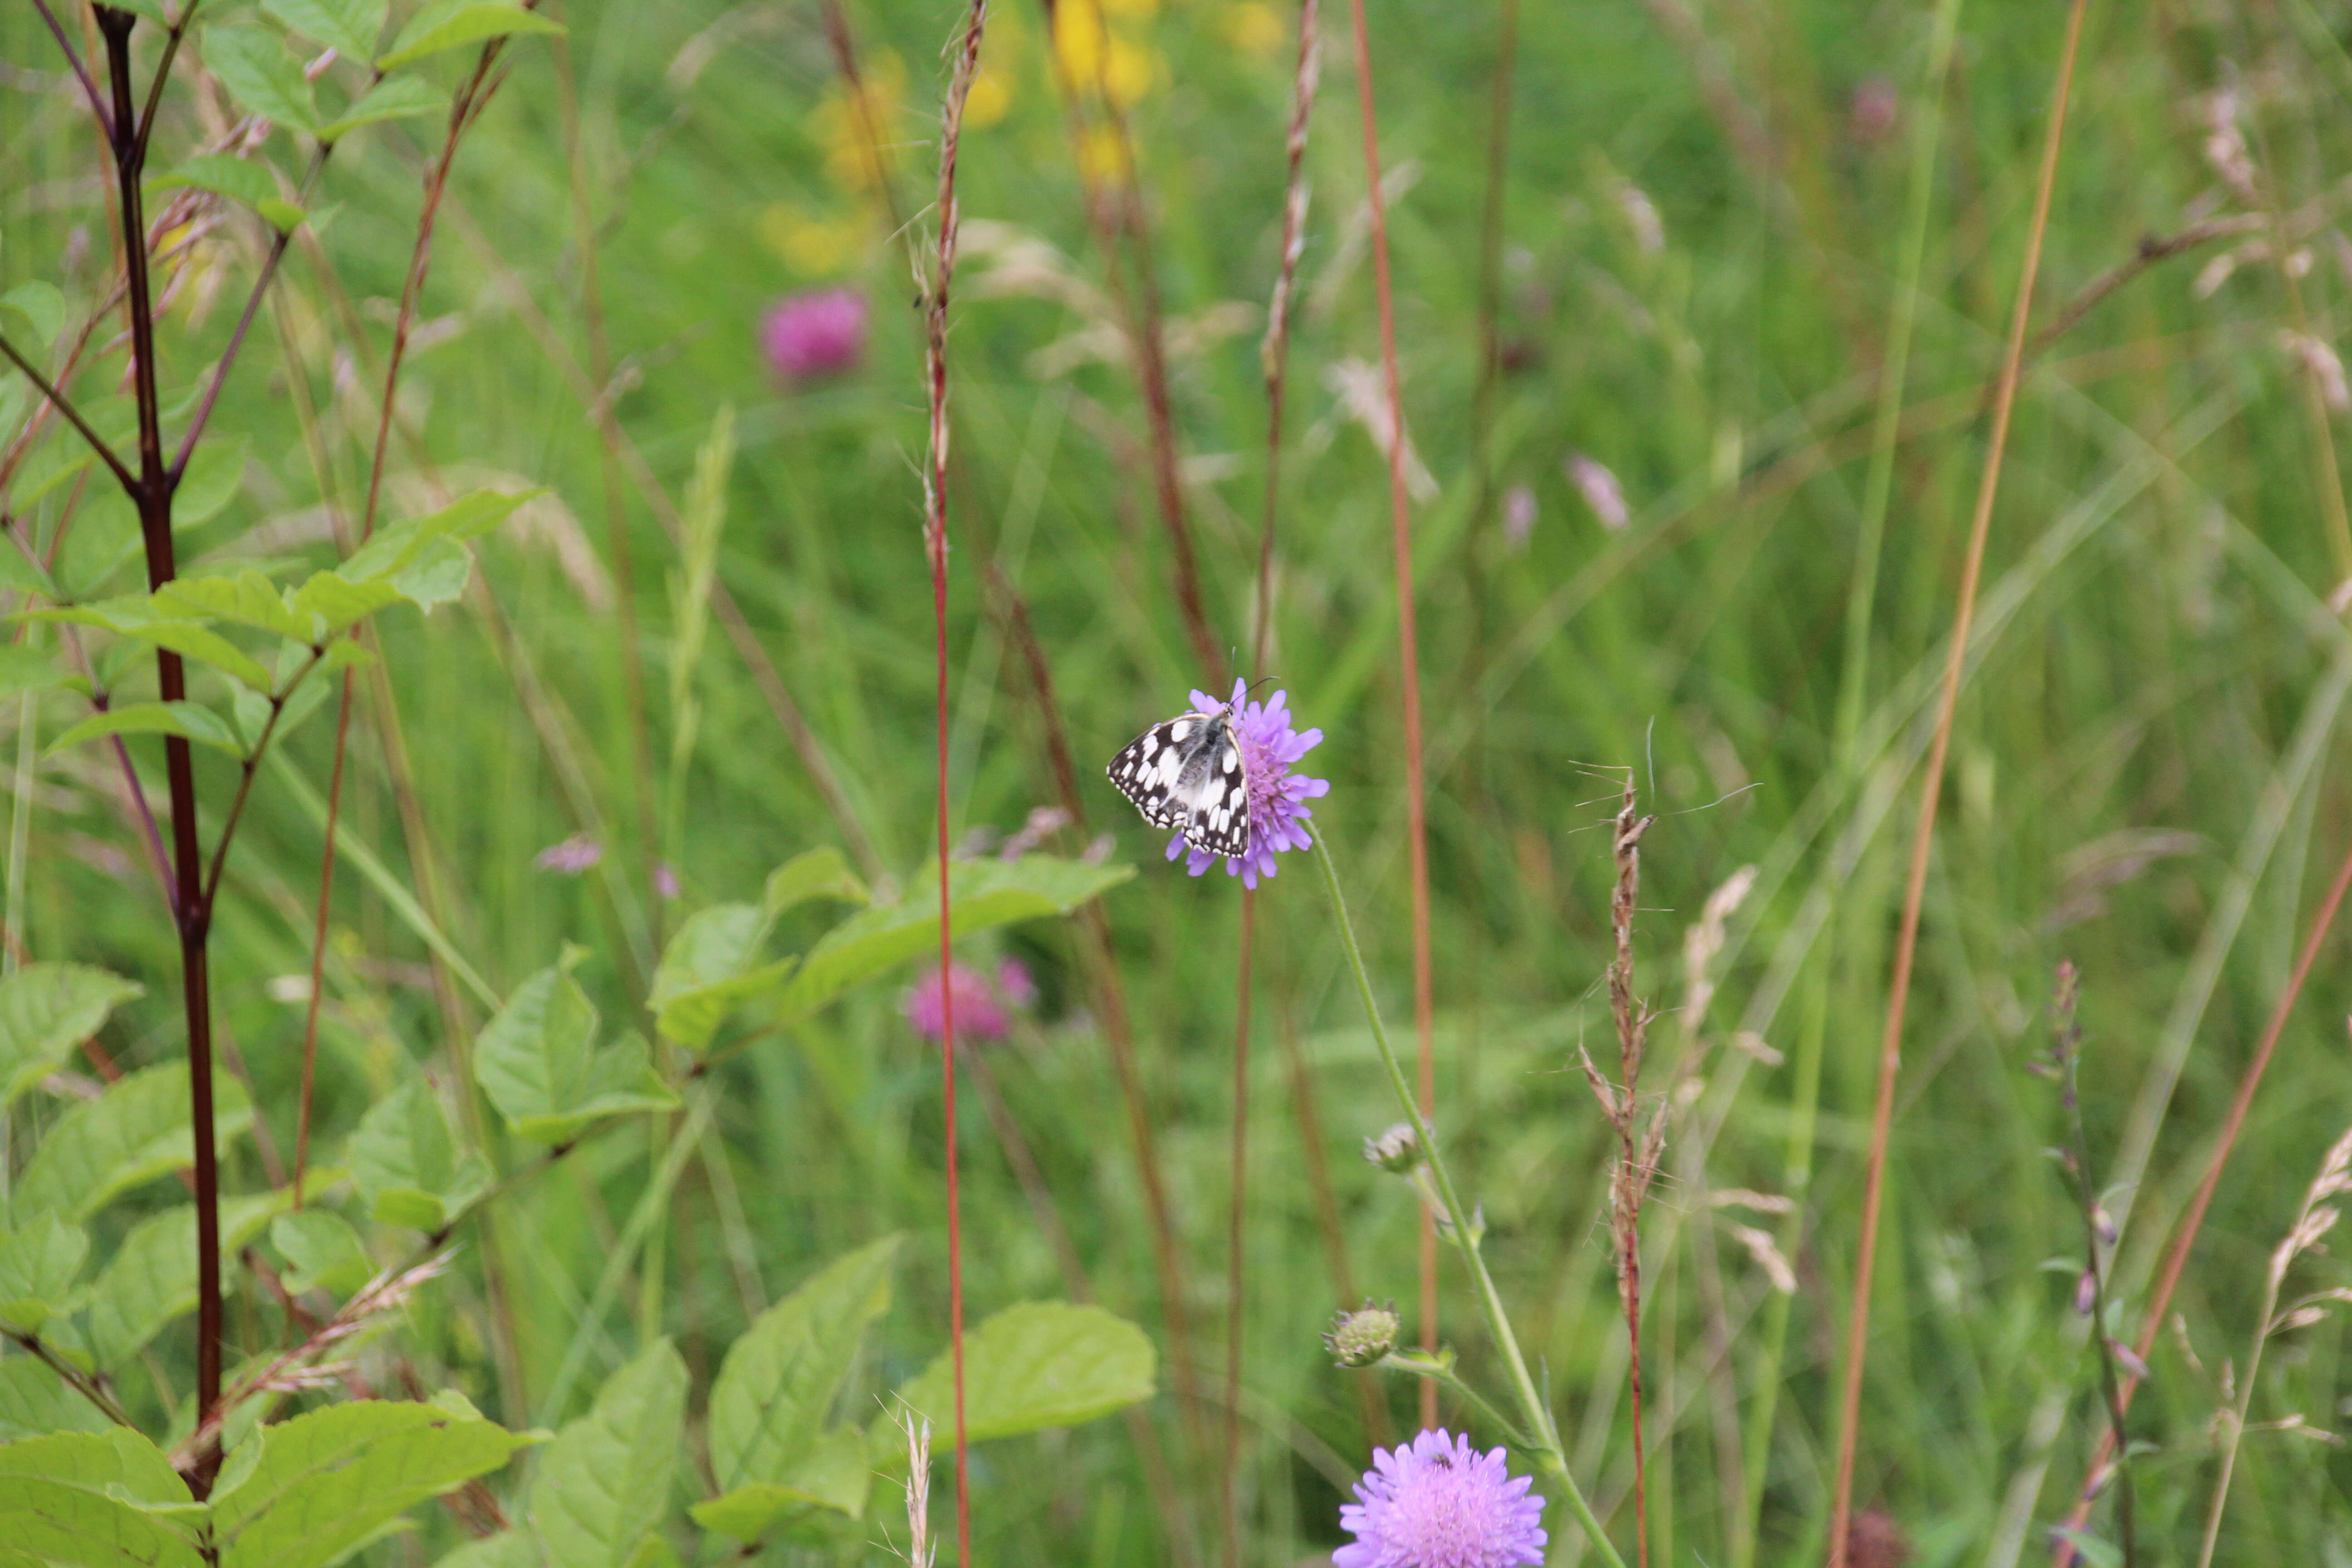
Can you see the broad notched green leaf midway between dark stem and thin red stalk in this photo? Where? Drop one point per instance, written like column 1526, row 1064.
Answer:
column 544, row 1071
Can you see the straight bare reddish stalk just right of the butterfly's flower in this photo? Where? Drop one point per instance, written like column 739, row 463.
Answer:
column 1410, row 657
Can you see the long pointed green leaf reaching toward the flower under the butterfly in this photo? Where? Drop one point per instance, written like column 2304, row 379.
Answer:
column 982, row 894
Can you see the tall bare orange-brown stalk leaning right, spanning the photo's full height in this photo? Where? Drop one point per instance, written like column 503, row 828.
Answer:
column 1850, row 1407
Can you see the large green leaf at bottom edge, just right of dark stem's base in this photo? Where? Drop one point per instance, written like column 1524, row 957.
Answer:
column 328, row 1482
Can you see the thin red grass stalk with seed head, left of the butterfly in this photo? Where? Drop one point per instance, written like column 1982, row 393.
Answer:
column 935, row 535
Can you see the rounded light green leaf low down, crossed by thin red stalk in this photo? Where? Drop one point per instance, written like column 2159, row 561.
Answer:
column 1034, row 1367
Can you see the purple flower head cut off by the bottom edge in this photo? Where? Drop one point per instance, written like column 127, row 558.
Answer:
column 1441, row 1506
